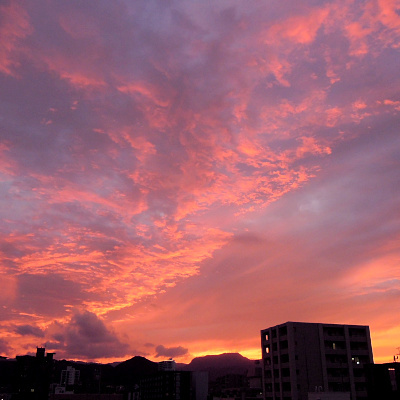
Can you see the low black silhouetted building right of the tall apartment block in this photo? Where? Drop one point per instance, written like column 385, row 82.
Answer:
column 383, row 381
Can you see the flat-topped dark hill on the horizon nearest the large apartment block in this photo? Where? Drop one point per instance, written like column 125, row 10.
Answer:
column 219, row 365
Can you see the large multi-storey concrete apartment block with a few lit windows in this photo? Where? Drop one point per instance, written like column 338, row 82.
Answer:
column 301, row 359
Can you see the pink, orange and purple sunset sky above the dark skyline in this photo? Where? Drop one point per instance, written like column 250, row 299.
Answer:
column 176, row 176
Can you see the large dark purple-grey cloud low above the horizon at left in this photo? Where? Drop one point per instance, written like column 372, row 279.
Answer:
column 86, row 336
